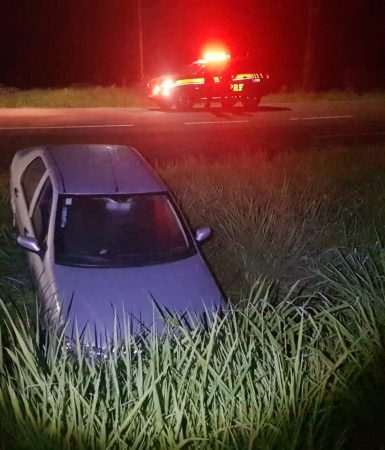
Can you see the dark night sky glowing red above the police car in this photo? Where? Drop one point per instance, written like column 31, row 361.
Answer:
column 73, row 42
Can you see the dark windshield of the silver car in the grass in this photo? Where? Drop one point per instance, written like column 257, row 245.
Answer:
column 118, row 231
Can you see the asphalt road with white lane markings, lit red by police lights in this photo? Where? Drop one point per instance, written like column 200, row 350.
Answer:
column 204, row 133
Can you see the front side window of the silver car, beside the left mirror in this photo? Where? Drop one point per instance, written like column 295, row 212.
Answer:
column 42, row 212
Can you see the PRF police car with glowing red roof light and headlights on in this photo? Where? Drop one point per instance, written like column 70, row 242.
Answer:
column 216, row 77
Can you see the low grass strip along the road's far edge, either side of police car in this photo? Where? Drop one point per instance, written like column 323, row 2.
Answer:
column 114, row 96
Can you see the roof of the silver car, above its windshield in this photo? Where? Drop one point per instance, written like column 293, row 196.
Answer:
column 100, row 169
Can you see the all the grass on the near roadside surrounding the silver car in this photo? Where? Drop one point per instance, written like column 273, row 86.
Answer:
column 295, row 362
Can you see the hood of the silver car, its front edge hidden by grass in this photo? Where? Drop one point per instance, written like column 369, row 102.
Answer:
column 95, row 296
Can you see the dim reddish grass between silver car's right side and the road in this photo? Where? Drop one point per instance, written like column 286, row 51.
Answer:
column 281, row 216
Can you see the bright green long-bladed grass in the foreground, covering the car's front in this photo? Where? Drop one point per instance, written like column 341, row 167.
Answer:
column 260, row 377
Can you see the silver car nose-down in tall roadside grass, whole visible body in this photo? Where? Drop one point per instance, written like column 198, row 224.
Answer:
column 104, row 238
